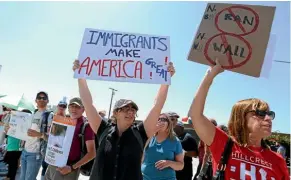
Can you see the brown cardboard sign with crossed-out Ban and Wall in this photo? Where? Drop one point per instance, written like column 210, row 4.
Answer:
column 237, row 35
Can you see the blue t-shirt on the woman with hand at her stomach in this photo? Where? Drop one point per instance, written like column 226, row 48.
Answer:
column 154, row 152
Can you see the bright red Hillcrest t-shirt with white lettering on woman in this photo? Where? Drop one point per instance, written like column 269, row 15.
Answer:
column 245, row 164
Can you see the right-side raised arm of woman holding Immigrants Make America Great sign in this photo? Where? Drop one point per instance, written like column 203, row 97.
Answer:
column 152, row 118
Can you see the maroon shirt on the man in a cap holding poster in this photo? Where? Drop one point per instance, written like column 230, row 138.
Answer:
column 75, row 151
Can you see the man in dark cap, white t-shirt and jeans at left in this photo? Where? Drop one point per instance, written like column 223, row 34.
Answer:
column 34, row 148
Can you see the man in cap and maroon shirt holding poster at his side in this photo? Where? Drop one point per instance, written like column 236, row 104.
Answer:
column 75, row 160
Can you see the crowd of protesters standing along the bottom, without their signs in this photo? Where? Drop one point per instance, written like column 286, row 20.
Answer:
column 157, row 148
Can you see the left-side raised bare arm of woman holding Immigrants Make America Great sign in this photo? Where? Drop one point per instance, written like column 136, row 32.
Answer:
column 94, row 118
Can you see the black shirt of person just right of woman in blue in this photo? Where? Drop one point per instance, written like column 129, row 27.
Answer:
column 188, row 144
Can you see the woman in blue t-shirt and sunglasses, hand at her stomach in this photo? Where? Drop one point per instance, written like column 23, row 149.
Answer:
column 163, row 153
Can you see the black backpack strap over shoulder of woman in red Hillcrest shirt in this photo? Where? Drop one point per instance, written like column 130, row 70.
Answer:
column 223, row 161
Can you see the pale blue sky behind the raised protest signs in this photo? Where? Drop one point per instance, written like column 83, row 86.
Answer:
column 40, row 40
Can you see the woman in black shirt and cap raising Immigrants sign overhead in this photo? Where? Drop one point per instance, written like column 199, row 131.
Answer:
column 121, row 143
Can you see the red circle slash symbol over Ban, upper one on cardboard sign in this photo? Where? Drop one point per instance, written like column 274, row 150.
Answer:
column 230, row 11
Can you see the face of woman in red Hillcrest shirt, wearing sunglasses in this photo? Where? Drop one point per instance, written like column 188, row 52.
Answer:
column 259, row 123
